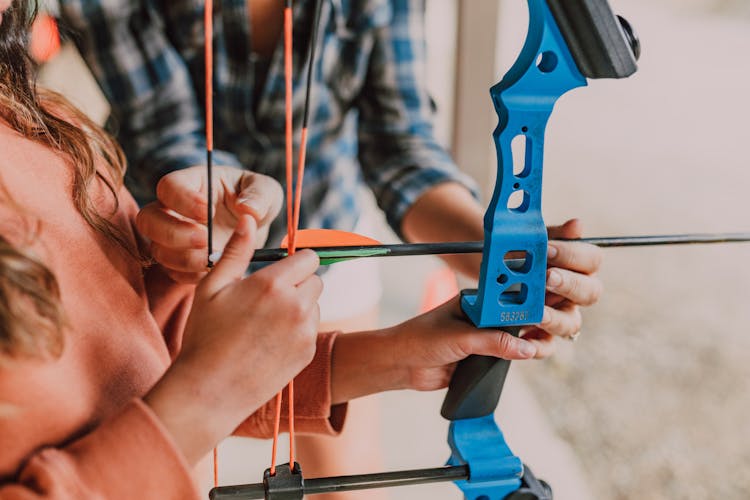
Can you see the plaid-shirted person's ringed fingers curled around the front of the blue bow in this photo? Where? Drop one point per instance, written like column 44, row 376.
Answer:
column 571, row 283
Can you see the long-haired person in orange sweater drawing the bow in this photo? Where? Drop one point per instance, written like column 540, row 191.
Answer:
column 114, row 379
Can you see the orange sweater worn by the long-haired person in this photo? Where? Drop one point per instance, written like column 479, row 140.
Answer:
column 75, row 427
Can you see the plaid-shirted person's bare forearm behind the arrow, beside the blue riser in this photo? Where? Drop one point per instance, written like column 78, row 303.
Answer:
column 447, row 212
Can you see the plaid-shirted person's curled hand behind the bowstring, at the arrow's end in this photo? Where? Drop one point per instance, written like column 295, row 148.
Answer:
column 176, row 223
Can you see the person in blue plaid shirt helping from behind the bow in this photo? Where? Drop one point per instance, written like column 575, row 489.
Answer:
column 371, row 124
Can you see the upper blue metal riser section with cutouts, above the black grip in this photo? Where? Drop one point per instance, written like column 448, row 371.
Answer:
column 524, row 99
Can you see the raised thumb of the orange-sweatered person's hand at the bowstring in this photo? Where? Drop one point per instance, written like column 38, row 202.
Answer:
column 235, row 258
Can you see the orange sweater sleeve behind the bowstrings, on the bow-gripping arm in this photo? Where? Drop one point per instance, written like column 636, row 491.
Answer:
column 313, row 411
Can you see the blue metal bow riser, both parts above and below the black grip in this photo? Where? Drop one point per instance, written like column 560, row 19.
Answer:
column 513, row 223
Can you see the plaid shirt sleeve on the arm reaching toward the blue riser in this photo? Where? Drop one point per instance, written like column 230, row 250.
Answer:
column 400, row 156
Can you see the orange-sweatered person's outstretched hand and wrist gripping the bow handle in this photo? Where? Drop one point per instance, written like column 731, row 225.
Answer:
column 419, row 354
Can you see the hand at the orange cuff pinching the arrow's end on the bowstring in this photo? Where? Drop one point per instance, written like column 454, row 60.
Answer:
column 244, row 340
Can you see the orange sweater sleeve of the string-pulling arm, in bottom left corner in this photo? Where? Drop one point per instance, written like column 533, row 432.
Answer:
column 123, row 457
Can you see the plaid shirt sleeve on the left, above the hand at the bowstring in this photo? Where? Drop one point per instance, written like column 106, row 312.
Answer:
column 155, row 113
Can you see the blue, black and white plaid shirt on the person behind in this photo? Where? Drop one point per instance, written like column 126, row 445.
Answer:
column 371, row 115
